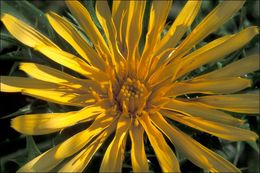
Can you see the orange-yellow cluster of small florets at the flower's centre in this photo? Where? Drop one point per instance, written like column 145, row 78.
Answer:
column 132, row 96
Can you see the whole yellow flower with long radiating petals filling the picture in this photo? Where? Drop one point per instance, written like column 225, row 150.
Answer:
column 132, row 92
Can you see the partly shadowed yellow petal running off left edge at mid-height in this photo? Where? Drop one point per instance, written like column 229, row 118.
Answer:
column 45, row 91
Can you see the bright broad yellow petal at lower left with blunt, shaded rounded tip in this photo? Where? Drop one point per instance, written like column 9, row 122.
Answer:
column 39, row 124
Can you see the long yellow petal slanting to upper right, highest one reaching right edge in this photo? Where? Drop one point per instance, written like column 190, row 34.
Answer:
column 205, row 55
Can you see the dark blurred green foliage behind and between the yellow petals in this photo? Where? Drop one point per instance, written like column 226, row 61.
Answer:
column 16, row 149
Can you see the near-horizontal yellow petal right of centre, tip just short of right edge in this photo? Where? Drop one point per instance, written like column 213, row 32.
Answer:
column 209, row 86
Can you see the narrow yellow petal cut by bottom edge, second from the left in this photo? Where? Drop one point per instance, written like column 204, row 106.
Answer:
column 81, row 160
